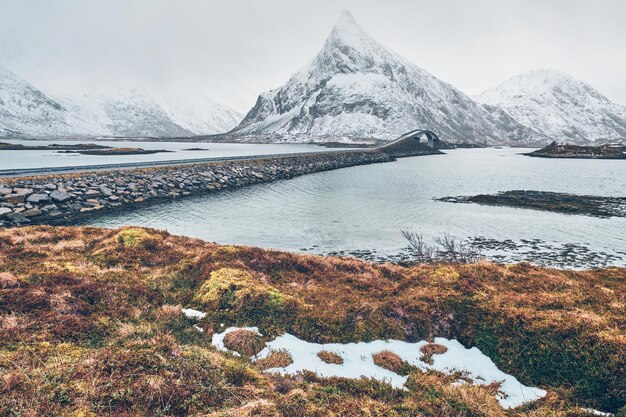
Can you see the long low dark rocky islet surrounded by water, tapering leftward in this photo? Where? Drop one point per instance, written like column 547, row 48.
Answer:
column 585, row 205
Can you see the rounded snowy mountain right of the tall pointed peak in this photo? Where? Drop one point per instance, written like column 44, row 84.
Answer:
column 558, row 105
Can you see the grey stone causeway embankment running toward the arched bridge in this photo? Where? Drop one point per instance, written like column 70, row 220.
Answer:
column 62, row 199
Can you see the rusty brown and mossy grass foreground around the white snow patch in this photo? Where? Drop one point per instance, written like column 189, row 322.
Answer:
column 91, row 325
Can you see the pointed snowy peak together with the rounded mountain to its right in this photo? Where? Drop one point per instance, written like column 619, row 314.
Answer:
column 355, row 88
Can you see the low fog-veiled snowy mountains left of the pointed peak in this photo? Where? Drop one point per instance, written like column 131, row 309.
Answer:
column 166, row 111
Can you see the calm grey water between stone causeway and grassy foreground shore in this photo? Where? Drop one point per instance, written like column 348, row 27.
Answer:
column 363, row 209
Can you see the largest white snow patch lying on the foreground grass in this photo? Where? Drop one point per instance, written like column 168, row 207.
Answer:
column 358, row 362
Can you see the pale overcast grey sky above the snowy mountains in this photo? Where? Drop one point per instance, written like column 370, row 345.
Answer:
column 235, row 49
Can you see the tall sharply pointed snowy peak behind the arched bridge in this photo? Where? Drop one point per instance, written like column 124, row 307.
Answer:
column 356, row 88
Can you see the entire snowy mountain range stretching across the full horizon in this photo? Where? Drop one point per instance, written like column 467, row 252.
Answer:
column 353, row 89
